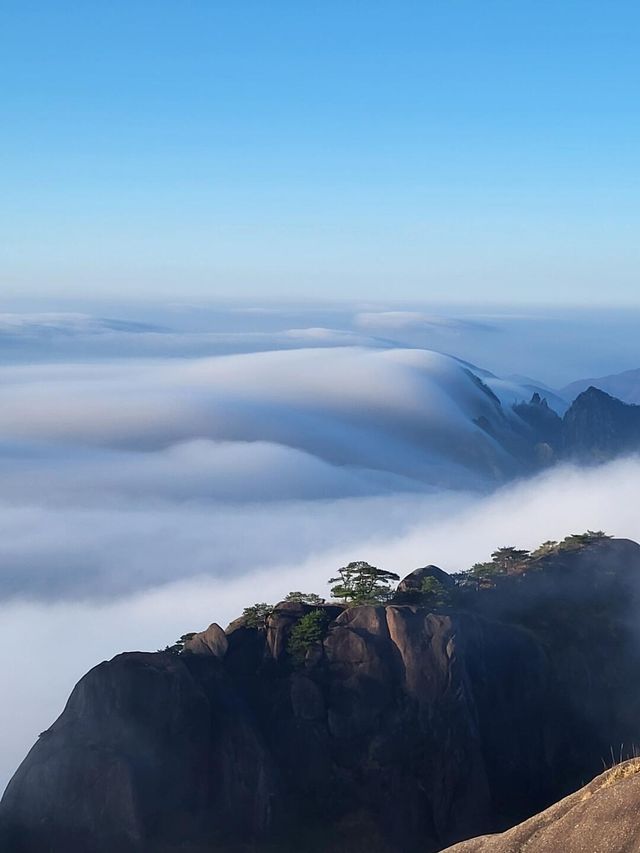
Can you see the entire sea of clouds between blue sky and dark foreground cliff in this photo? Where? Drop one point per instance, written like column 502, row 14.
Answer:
column 161, row 473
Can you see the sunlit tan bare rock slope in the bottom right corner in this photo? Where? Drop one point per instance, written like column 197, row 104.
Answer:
column 603, row 816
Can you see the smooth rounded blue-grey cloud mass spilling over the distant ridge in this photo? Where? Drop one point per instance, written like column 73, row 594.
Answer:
column 121, row 476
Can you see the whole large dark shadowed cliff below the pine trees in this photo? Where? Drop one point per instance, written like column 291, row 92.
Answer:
column 402, row 730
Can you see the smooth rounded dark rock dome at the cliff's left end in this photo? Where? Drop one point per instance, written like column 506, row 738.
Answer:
column 146, row 751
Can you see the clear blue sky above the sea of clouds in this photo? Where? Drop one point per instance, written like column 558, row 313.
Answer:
column 441, row 150
